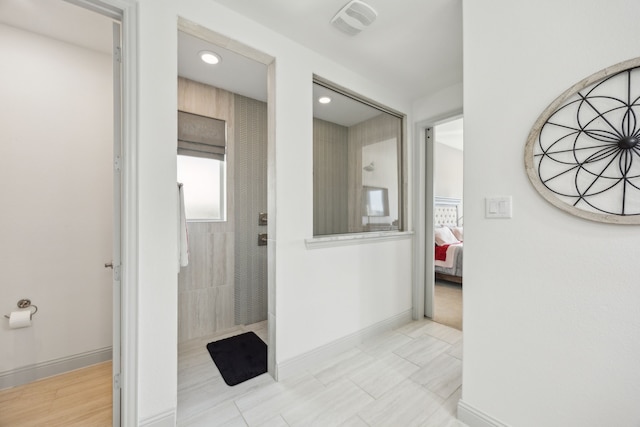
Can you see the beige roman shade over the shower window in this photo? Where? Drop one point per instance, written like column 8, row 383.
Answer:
column 200, row 136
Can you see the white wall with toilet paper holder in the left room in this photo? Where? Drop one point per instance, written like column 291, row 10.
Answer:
column 55, row 222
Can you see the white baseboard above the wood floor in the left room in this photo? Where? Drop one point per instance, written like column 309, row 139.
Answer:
column 27, row 374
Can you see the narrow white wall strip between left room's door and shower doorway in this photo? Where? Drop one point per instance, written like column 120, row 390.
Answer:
column 158, row 268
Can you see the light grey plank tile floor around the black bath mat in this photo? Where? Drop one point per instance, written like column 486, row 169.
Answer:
column 410, row 376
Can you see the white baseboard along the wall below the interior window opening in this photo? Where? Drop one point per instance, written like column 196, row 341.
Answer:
column 308, row 360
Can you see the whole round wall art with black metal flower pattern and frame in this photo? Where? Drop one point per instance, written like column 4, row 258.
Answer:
column 583, row 153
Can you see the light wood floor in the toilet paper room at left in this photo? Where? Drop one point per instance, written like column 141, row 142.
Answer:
column 79, row 398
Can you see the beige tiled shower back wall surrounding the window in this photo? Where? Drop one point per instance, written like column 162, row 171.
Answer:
column 206, row 286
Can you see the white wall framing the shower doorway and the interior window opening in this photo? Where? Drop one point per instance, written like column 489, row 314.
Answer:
column 321, row 295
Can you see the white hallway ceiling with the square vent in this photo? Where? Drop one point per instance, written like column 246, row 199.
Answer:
column 414, row 46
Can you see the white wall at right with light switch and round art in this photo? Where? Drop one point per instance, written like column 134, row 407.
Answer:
column 552, row 327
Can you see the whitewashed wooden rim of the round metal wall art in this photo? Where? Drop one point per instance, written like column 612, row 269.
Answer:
column 549, row 195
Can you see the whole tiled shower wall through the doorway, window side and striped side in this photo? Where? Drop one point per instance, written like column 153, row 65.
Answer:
column 225, row 282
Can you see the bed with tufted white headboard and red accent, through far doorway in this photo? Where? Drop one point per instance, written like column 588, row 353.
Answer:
column 448, row 232
